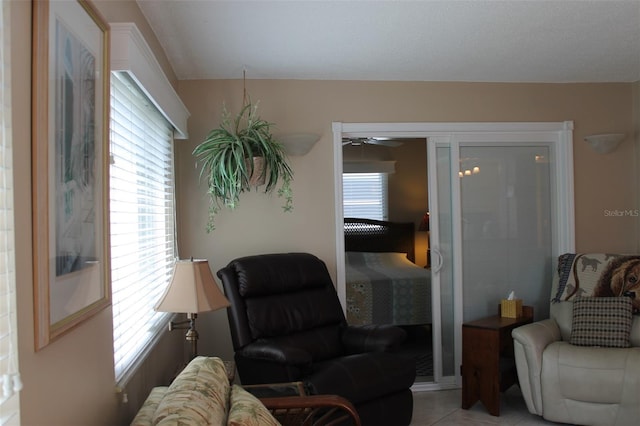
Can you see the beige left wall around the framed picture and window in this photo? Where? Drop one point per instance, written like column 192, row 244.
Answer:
column 71, row 381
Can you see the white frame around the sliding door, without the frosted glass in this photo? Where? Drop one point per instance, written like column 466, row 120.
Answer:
column 558, row 134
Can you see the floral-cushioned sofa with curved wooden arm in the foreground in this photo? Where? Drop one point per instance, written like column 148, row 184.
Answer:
column 201, row 395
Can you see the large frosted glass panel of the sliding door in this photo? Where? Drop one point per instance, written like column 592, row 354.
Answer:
column 506, row 225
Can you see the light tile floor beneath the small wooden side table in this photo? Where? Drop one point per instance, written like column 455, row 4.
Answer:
column 442, row 408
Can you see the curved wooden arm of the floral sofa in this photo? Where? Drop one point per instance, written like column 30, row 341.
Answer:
column 312, row 410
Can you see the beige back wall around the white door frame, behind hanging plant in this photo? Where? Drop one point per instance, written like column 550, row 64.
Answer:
column 602, row 182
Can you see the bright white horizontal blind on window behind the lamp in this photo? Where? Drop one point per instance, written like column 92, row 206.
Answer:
column 142, row 221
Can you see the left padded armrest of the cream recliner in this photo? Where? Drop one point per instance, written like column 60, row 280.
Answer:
column 529, row 343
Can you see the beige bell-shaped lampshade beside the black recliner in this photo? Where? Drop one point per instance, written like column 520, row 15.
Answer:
column 192, row 289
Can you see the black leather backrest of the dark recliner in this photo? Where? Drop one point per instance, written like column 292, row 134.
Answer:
column 288, row 297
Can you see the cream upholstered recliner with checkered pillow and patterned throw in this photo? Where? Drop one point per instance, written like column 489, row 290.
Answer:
column 574, row 367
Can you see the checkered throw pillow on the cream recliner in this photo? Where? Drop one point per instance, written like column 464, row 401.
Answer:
column 602, row 321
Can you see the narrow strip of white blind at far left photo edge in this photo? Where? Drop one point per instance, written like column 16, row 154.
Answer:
column 10, row 383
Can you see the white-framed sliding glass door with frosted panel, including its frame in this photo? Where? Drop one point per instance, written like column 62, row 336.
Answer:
column 501, row 208
